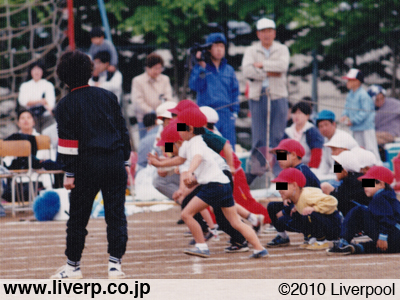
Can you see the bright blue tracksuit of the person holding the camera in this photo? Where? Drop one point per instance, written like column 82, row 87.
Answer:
column 219, row 89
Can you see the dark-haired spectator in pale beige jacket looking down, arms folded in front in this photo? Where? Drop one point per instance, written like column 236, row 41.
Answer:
column 150, row 89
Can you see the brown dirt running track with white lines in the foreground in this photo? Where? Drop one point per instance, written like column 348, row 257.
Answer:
column 34, row 250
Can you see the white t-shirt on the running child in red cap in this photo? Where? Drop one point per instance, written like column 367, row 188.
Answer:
column 208, row 170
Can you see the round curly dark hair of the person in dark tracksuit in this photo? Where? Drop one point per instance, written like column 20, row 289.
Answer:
column 74, row 69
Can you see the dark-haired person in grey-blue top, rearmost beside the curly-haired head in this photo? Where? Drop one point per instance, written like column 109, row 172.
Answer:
column 99, row 43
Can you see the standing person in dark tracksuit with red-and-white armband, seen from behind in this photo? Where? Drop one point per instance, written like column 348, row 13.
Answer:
column 94, row 147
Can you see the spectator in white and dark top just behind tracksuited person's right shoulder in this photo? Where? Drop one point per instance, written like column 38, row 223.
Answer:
column 104, row 79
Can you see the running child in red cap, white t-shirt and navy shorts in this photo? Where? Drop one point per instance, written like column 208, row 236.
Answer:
column 215, row 188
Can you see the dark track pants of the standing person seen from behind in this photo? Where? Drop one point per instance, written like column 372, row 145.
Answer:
column 105, row 172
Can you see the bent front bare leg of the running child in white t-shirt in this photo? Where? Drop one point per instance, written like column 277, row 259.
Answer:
column 194, row 206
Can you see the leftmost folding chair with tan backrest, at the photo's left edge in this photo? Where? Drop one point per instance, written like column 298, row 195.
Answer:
column 18, row 149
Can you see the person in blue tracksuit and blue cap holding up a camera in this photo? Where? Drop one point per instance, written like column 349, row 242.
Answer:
column 216, row 86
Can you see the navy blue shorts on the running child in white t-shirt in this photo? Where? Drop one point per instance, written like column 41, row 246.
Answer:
column 216, row 194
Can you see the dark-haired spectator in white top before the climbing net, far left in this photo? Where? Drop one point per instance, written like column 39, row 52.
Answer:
column 38, row 96
